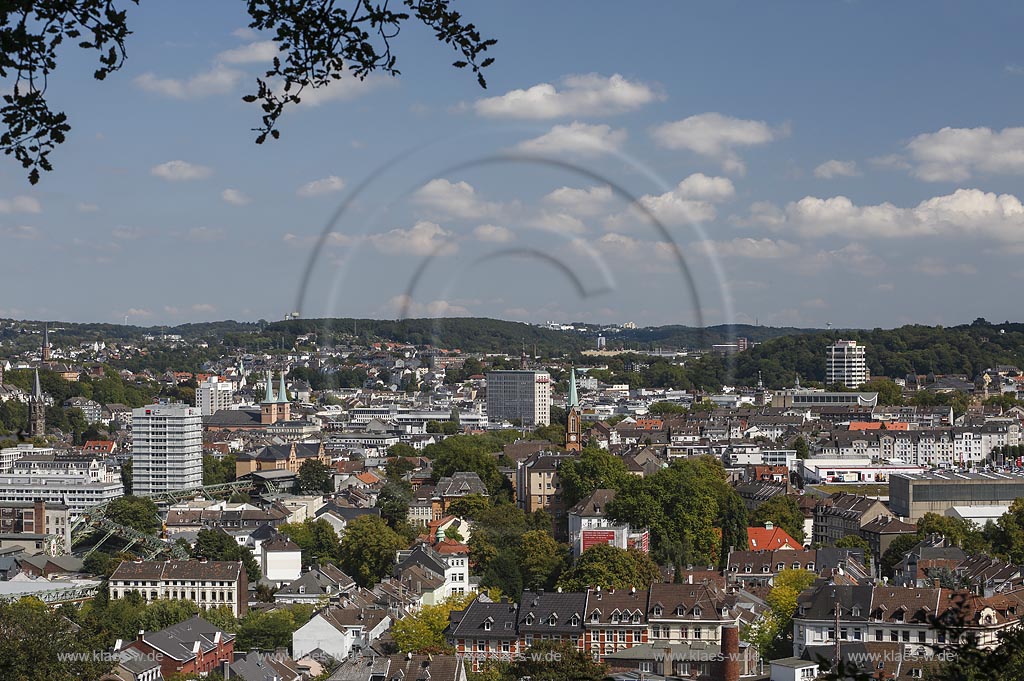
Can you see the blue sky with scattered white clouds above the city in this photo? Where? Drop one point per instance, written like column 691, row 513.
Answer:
column 851, row 163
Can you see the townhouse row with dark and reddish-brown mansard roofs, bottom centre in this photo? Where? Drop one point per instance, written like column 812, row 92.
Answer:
column 599, row 622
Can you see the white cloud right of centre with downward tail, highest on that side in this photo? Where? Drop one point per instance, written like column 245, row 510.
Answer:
column 716, row 137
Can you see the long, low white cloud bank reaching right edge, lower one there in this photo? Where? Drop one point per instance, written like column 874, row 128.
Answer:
column 965, row 212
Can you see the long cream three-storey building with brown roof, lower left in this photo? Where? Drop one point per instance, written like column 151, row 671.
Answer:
column 206, row 583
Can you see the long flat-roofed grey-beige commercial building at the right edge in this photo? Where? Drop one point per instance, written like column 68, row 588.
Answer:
column 912, row 496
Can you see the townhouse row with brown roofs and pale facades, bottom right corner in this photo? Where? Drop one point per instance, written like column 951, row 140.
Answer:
column 900, row 615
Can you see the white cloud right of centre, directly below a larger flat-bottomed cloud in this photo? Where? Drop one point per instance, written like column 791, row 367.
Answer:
column 692, row 201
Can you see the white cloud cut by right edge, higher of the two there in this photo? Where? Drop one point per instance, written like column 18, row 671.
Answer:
column 956, row 154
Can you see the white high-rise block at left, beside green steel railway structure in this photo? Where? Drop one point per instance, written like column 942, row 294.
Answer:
column 167, row 448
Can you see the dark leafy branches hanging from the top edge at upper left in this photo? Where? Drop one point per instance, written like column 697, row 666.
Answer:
column 320, row 44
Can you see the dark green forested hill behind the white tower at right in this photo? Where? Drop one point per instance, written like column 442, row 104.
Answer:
column 966, row 350
